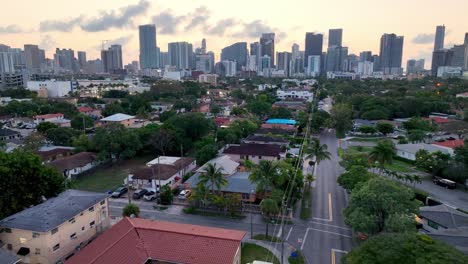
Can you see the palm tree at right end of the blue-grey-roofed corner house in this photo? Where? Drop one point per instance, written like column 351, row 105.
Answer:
column 265, row 175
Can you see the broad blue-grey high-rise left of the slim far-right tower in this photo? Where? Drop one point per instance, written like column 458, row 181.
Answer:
column 391, row 53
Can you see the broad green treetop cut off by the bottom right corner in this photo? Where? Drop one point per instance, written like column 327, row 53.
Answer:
column 406, row 248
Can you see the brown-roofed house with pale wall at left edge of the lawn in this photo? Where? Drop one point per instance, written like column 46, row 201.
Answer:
column 75, row 164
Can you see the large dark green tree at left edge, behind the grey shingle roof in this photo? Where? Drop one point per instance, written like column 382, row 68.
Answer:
column 24, row 180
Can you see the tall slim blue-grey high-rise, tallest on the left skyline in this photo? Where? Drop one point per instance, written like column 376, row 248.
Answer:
column 148, row 55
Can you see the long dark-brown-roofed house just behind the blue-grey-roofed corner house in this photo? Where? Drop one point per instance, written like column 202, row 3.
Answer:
column 254, row 152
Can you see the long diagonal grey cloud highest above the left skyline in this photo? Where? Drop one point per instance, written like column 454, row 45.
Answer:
column 115, row 19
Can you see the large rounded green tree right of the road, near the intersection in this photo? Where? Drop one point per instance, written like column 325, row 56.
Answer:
column 381, row 205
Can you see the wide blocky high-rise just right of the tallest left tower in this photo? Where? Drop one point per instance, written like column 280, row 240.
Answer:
column 180, row 55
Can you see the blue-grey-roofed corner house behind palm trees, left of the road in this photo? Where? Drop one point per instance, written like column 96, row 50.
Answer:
column 237, row 183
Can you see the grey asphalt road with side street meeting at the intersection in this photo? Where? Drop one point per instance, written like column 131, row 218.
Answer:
column 323, row 239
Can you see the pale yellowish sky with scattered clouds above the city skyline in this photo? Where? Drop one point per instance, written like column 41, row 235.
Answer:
column 84, row 24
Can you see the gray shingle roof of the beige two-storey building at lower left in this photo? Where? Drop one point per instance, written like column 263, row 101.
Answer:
column 53, row 212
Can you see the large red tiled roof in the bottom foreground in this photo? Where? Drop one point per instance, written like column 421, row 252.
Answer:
column 143, row 241
